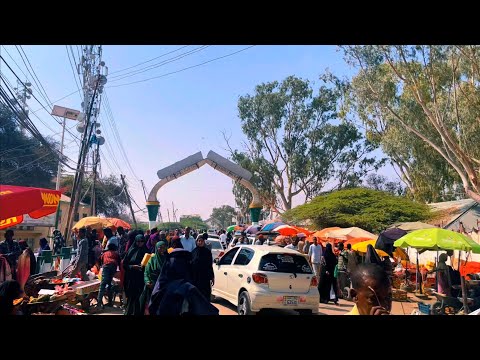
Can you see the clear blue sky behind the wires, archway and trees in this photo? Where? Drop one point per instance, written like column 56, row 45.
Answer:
column 164, row 120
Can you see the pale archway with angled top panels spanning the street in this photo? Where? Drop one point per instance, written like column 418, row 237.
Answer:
column 194, row 162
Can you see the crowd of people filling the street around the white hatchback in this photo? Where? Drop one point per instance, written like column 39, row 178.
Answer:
column 178, row 276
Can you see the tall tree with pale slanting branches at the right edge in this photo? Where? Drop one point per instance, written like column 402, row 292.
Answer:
column 423, row 104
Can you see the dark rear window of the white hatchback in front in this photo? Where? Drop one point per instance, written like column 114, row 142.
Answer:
column 285, row 263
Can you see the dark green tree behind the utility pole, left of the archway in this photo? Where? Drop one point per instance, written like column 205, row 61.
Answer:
column 110, row 197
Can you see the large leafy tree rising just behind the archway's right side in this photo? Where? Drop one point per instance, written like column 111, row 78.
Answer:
column 296, row 143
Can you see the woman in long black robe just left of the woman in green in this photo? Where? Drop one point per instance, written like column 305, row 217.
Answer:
column 133, row 281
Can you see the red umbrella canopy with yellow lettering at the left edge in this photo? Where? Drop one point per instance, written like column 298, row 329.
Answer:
column 15, row 201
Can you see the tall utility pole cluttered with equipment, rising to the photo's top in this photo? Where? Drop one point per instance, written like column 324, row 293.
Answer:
column 94, row 74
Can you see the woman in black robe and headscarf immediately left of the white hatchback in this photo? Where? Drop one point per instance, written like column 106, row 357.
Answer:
column 202, row 268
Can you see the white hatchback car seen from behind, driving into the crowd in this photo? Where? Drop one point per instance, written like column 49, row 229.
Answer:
column 255, row 277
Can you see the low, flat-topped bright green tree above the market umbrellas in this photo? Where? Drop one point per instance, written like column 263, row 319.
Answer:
column 368, row 209
